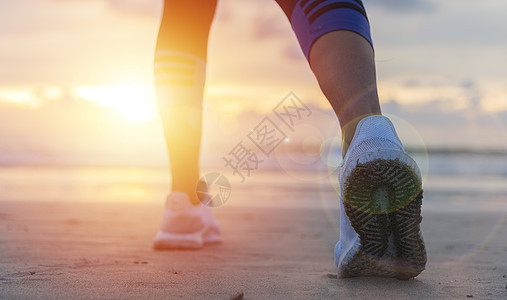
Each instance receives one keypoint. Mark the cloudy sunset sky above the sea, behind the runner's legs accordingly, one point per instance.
(76, 82)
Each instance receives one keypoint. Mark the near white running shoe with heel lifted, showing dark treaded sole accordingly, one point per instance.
(380, 199)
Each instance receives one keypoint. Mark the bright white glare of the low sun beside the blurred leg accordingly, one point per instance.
(136, 102)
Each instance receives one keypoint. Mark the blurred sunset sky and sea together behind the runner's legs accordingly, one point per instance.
(78, 118)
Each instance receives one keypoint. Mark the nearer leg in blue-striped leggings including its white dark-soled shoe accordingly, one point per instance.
(380, 185)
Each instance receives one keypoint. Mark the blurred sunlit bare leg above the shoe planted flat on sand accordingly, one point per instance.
(180, 67)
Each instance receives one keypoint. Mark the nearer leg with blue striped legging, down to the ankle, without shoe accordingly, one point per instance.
(340, 55)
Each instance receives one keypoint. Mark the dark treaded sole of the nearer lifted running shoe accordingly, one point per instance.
(382, 195)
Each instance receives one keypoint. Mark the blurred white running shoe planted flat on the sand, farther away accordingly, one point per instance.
(186, 226)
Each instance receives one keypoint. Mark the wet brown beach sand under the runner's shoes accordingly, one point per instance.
(62, 250)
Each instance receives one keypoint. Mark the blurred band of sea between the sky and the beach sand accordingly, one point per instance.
(454, 180)
